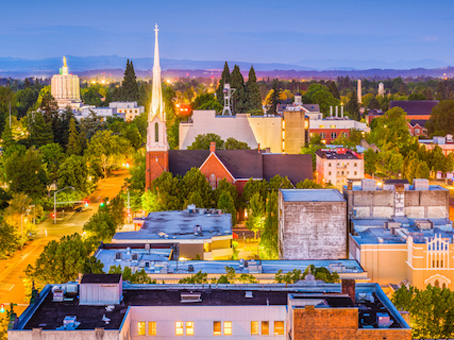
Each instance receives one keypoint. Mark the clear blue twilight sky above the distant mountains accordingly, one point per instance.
(243, 30)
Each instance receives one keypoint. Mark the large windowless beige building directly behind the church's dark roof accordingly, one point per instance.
(282, 134)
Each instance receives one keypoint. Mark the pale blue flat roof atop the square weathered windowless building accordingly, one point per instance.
(312, 195)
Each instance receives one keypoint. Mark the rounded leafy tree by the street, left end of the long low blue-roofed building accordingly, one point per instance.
(61, 261)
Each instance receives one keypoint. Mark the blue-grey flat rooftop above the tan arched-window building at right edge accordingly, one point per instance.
(373, 231)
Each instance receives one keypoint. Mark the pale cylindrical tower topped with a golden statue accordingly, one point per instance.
(65, 88)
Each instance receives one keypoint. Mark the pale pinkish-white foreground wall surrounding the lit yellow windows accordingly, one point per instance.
(203, 317)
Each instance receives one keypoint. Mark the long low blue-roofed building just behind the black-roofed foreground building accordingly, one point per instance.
(160, 263)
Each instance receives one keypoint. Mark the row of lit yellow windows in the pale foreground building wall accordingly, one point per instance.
(187, 328)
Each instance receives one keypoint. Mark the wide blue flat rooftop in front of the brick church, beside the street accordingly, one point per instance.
(180, 225)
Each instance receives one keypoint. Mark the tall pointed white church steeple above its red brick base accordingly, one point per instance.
(157, 131)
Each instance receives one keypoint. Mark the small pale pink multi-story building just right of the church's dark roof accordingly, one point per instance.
(338, 166)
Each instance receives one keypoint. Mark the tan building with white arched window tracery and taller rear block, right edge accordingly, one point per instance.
(402, 233)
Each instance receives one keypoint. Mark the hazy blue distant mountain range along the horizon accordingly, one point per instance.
(113, 66)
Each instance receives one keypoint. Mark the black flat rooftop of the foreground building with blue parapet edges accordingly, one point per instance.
(49, 315)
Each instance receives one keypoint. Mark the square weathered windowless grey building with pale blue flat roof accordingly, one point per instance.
(312, 224)
